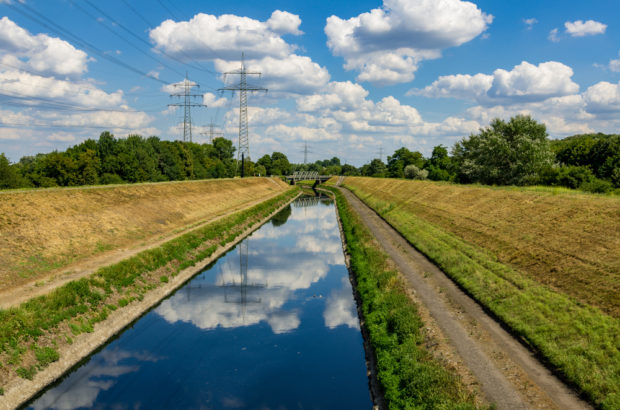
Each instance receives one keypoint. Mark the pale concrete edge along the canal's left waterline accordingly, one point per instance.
(19, 391)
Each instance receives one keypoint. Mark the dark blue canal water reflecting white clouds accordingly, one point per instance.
(270, 325)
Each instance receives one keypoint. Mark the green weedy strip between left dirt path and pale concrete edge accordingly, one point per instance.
(33, 334)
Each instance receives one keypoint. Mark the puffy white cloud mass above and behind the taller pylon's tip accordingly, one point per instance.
(222, 40)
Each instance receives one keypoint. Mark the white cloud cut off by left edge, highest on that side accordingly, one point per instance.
(41, 53)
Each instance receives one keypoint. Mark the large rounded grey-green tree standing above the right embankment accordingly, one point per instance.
(512, 153)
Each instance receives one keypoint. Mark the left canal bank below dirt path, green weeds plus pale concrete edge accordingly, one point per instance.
(65, 326)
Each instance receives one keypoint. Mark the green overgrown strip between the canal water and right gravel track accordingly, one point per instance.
(409, 375)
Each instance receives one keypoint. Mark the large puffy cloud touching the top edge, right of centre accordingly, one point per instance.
(387, 44)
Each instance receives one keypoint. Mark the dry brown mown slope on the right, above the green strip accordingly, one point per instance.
(569, 242)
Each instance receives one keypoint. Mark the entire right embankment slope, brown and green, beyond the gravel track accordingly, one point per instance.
(544, 264)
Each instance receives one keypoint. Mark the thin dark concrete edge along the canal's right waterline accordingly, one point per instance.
(376, 393)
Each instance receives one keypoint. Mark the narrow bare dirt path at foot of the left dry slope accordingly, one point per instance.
(15, 295)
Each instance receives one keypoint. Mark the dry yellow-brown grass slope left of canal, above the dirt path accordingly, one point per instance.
(45, 230)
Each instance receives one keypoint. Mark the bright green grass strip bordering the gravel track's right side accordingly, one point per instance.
(580, 342)
